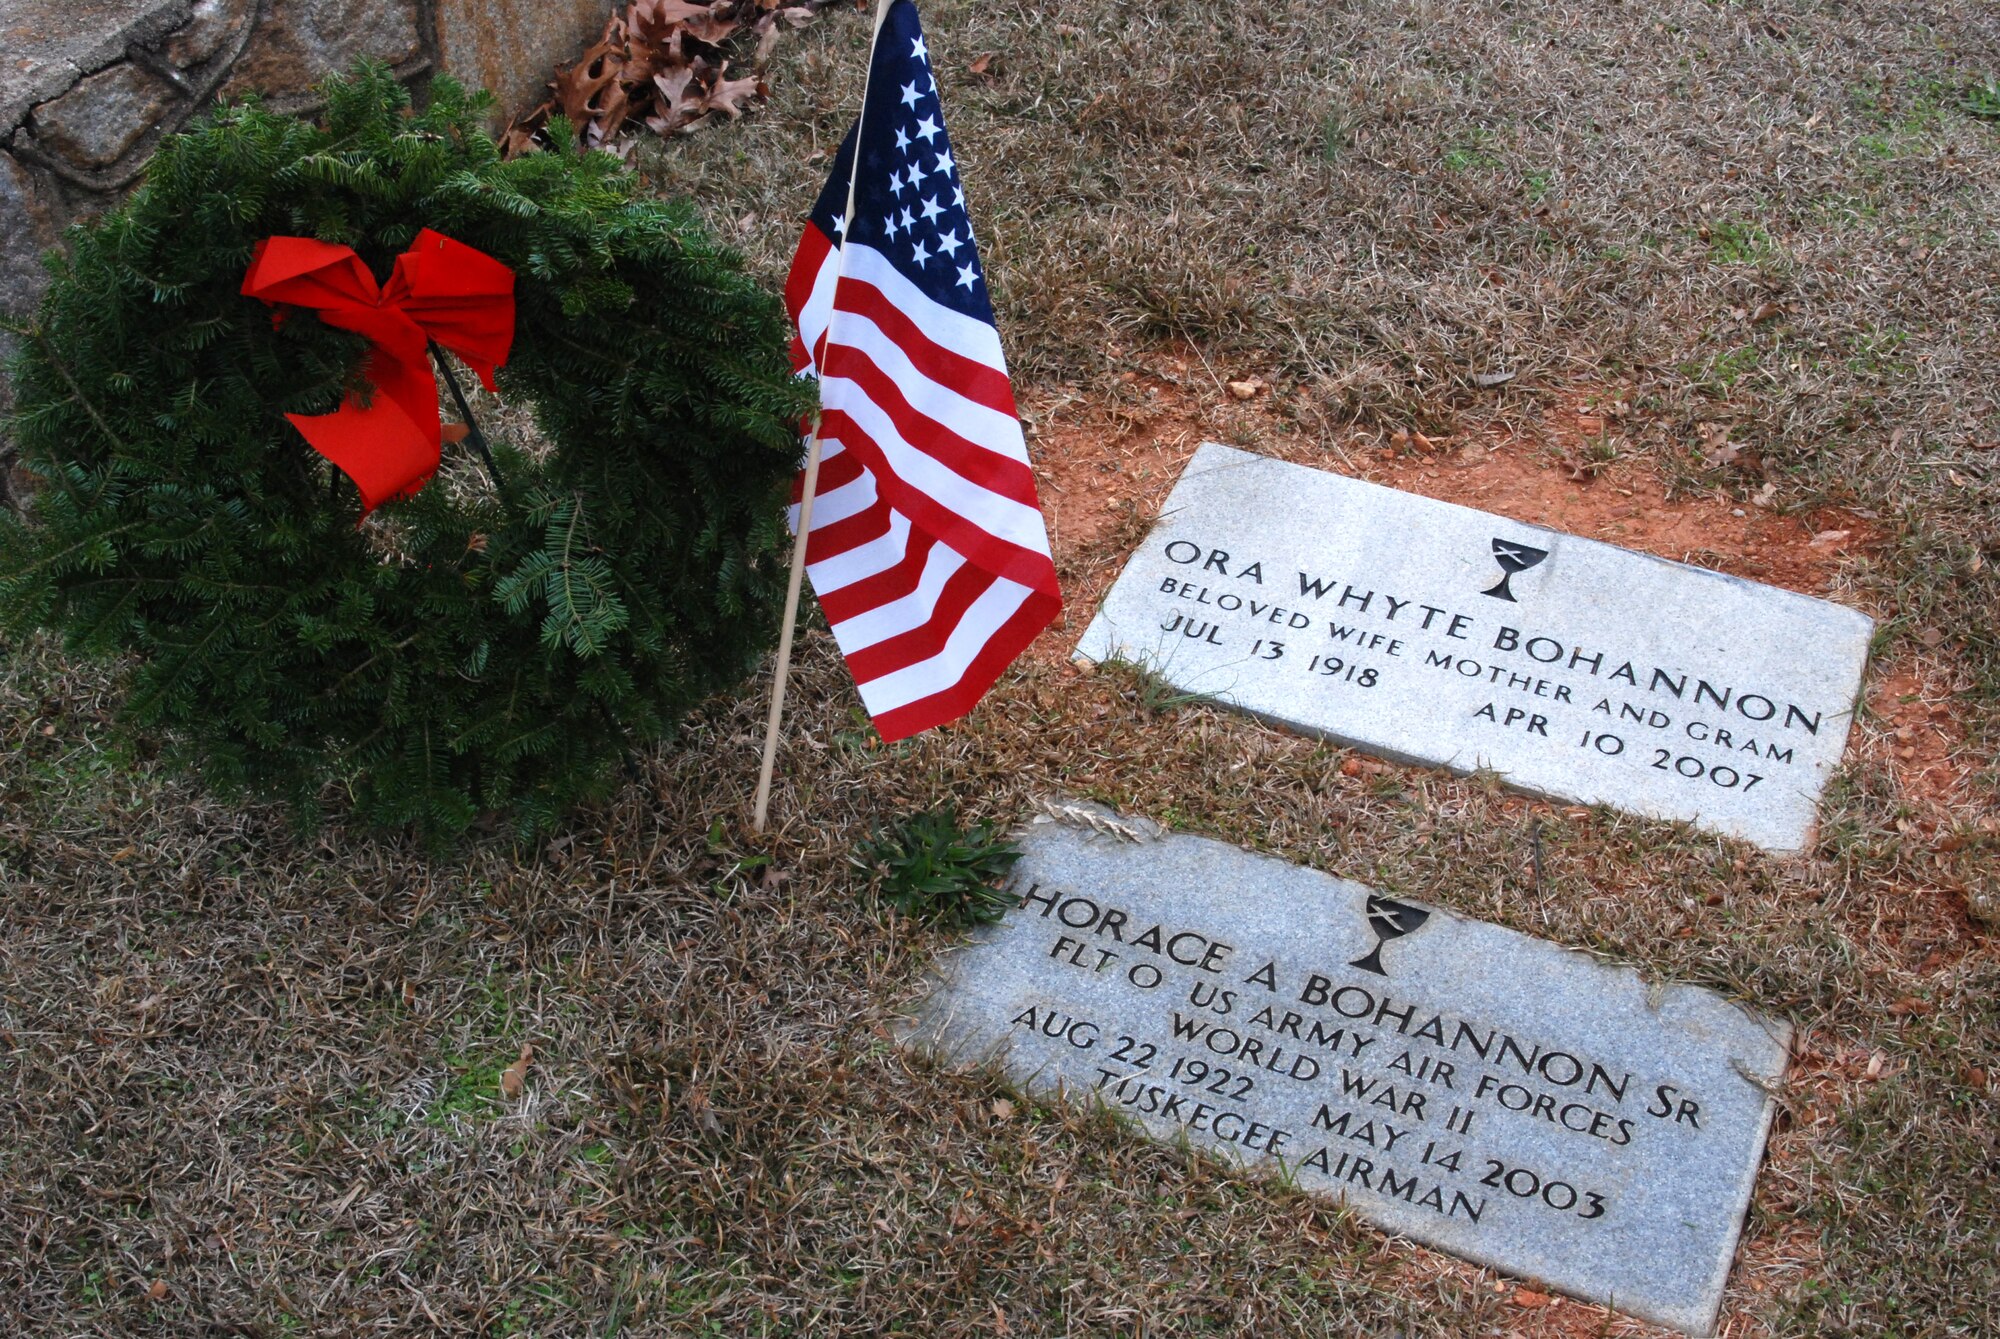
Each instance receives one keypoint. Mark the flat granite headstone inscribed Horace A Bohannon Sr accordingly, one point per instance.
(1473, 1088)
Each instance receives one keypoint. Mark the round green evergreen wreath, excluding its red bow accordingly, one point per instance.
(493, 645)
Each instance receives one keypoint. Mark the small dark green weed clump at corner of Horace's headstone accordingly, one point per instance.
(935, 870)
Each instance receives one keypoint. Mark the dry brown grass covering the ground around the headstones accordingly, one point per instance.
(251, 1080)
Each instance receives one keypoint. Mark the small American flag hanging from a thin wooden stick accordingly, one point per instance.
(929, 553)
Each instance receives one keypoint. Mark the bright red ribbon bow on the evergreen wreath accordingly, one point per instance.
(441, 291)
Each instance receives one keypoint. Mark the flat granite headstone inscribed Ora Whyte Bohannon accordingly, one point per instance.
(1447, 637)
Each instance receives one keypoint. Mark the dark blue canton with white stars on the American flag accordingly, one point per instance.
(909, 201)
